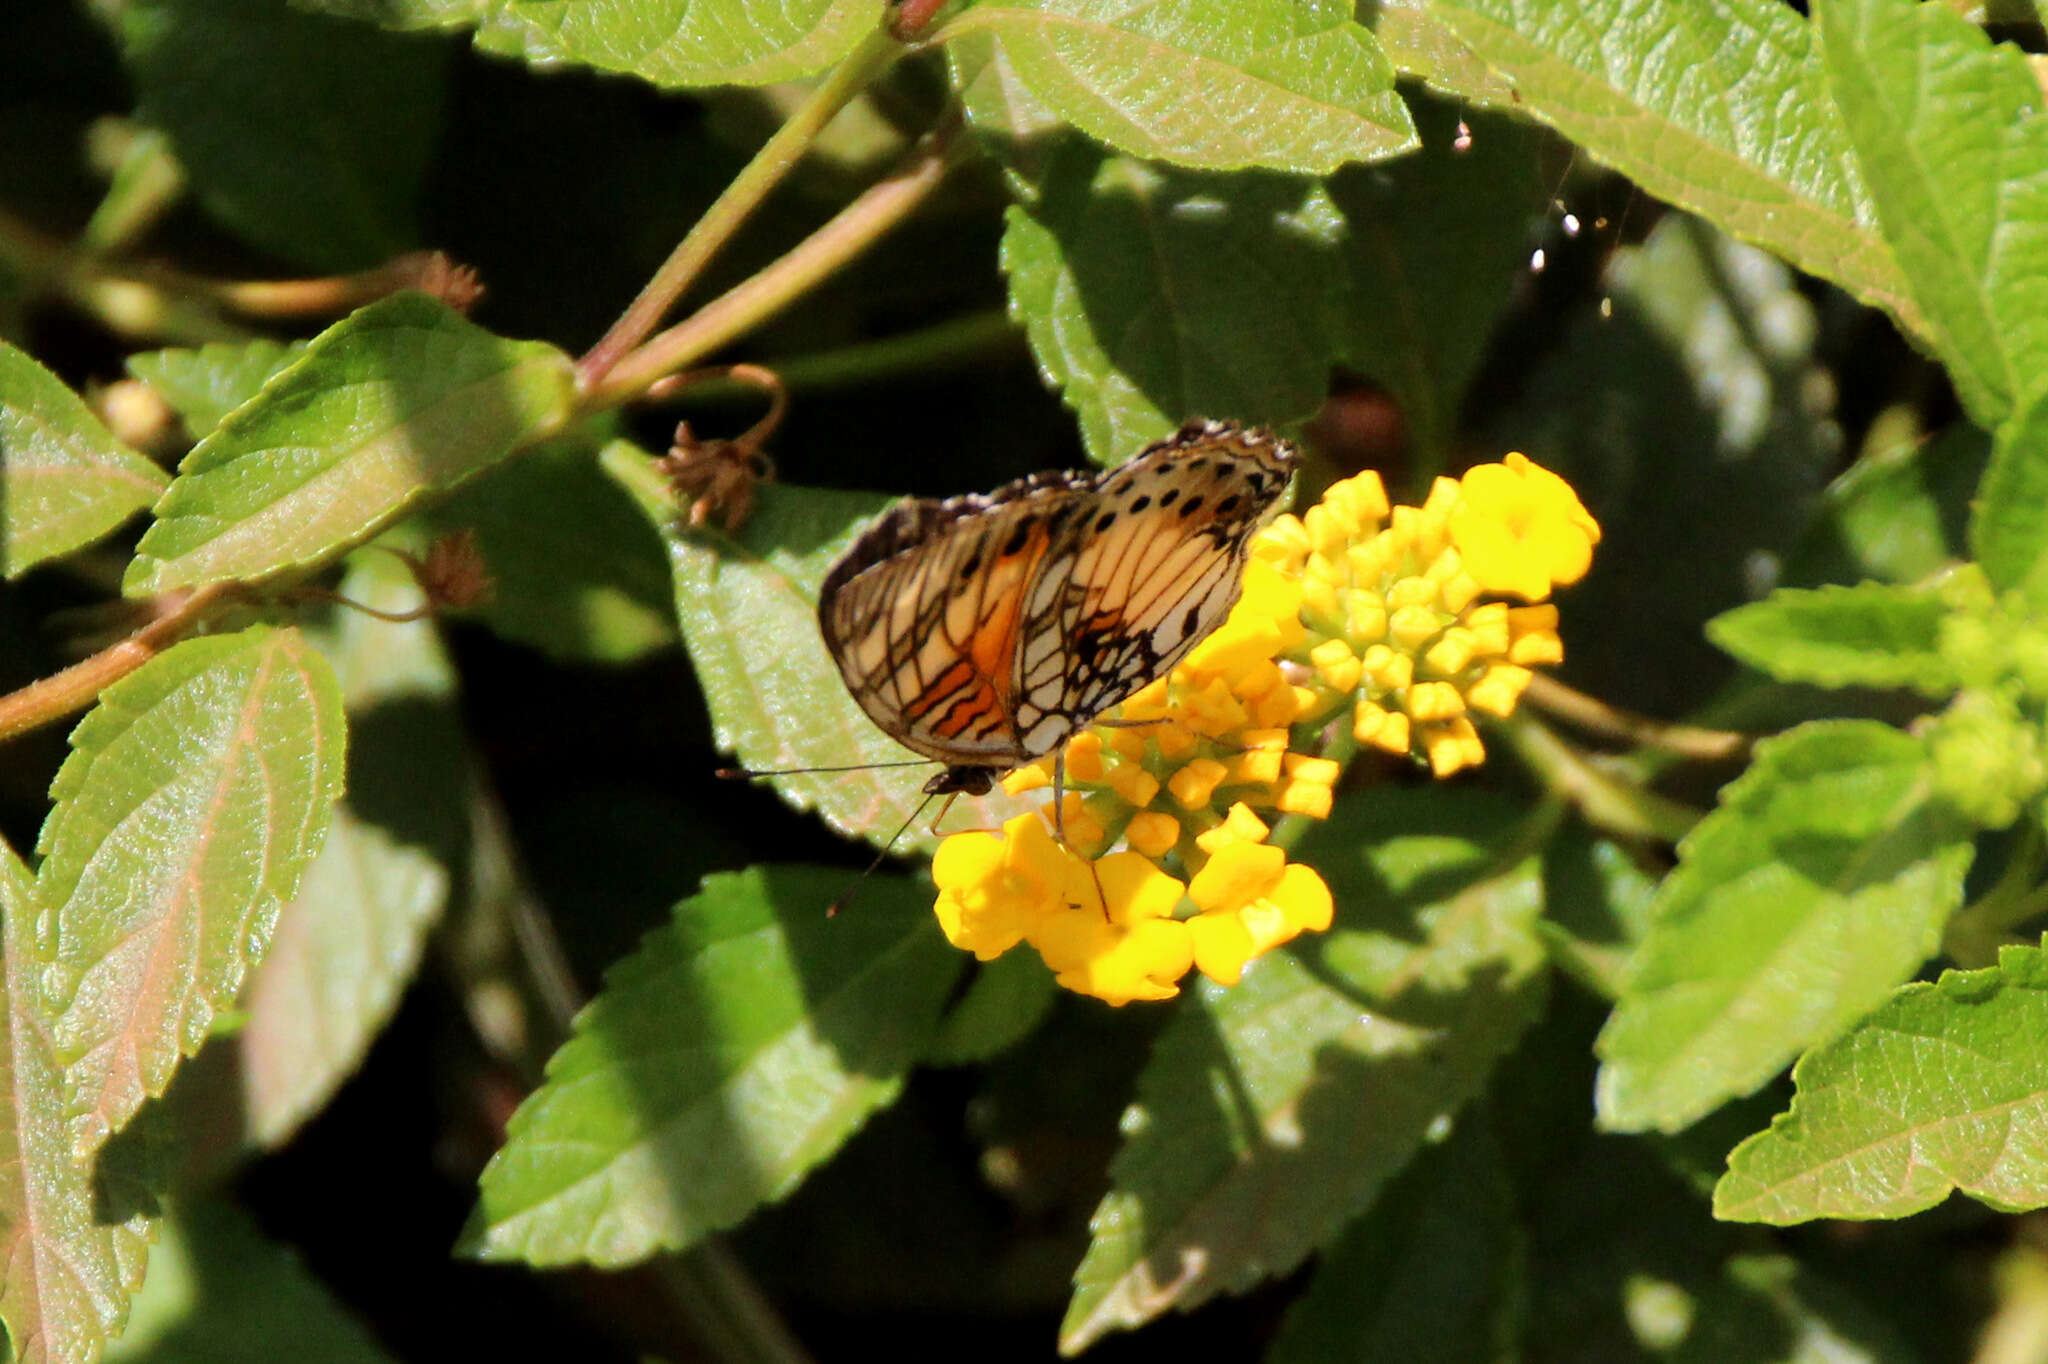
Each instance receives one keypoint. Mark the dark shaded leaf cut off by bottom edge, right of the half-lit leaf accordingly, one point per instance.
(1445, 1232)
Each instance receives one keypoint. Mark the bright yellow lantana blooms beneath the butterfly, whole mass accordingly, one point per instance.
(1166, 867)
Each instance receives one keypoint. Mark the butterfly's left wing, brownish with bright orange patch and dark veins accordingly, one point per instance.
(927, 611)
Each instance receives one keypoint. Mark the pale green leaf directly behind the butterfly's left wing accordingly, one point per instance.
(749, 611)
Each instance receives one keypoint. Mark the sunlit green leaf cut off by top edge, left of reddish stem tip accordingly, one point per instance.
(685, 44)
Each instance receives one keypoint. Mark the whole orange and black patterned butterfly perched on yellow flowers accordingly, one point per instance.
(984, 632)
